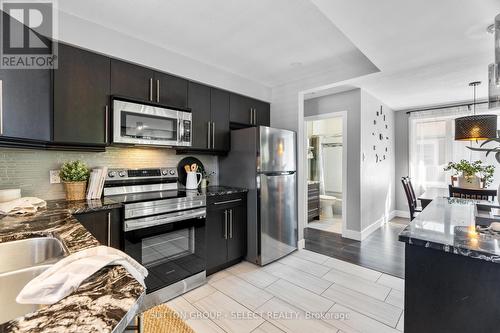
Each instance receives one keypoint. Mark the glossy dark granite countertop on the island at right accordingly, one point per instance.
(448, 224)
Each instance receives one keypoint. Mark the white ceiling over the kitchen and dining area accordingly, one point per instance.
(420, 52)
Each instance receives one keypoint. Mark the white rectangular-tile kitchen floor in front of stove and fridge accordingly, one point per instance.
(304, 292)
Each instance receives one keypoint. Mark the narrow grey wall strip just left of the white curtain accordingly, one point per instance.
(402, 157)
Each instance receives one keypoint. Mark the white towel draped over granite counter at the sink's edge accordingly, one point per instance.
(65, 276)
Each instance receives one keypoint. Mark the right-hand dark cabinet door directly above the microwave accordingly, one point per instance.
(170, 90)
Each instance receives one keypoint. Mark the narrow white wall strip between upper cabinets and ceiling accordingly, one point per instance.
(95, 37)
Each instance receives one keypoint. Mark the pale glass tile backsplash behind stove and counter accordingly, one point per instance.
(29, 169)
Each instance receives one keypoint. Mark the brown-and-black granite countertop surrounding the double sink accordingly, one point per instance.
(104, 302)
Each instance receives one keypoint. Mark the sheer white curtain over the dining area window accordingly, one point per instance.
(432, 146)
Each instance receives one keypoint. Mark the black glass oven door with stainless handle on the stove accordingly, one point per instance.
(171, 247)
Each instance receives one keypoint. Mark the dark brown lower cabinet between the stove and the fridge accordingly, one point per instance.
(226, 230)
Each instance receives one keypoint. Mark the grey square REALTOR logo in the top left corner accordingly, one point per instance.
(28, 35)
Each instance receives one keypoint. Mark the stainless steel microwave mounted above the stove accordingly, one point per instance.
(142, 124)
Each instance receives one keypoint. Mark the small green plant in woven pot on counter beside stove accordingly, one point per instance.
(74, 175)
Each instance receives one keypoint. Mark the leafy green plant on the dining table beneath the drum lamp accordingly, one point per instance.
(470, 174)
